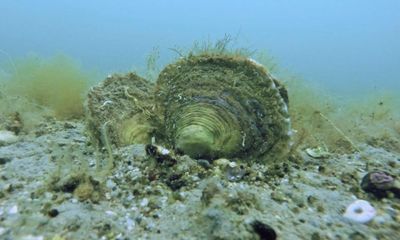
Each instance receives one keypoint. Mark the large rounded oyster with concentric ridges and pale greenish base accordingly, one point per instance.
(217, 106)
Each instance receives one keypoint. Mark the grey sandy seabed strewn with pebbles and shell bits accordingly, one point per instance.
(199, 200)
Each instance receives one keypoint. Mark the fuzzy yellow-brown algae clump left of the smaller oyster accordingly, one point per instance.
(57, 83)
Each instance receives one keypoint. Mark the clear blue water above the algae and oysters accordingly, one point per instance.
(344, 46)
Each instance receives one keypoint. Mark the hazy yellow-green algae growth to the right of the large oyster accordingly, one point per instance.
(343, 123)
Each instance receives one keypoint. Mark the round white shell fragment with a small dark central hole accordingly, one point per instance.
(360, 211)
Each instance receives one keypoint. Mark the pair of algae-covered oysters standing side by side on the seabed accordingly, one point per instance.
(206, 106)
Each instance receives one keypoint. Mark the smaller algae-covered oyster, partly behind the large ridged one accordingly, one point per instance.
(119, 110)
